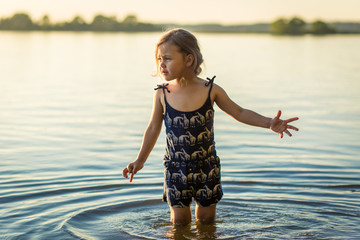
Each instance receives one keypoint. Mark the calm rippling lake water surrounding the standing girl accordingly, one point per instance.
(73, 108)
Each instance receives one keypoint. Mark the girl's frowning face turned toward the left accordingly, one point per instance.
(172, 63)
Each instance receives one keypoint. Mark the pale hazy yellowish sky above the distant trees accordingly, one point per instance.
(188, 11)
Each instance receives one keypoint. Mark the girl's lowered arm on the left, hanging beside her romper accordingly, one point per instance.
(151, 135)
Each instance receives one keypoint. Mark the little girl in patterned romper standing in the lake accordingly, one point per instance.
(185, 104)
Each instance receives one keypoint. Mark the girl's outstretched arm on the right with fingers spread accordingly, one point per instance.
(250, 117)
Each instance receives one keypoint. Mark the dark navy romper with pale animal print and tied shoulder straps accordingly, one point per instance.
(192, 168)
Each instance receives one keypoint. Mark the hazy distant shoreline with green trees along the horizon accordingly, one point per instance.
(102, 23)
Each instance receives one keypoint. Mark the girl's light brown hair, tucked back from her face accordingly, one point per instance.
(187, 44)
